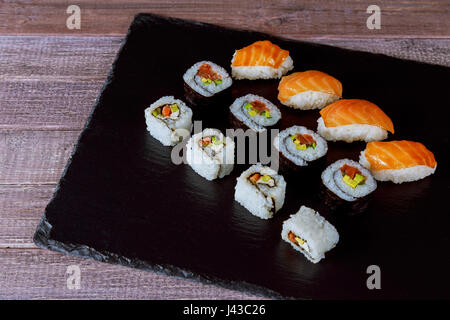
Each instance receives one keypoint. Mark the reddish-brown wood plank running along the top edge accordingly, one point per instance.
(294, 19)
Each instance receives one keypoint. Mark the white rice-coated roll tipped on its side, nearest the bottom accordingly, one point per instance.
(308, 232)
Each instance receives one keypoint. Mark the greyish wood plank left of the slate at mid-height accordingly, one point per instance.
(34, 157)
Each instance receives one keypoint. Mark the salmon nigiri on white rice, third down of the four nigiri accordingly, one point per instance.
(352, 120)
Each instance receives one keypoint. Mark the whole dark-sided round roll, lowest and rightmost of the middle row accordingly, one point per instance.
(347, 186)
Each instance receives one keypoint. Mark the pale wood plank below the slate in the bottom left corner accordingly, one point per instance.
(41, 274)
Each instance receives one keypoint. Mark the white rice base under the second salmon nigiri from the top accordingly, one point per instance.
(308, 100)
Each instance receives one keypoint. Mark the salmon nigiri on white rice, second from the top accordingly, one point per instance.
(309, 90)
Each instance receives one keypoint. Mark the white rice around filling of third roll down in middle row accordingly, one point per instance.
(300, 157)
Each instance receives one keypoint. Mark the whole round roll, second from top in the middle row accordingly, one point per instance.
(255, 112)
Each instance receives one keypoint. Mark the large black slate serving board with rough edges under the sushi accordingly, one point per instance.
(110, 204)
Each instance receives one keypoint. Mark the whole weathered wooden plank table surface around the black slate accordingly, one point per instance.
(50, 77)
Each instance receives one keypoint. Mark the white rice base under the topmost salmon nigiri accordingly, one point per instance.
(261, 72)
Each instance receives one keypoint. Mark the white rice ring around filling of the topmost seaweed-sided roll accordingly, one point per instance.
(193, 80)
